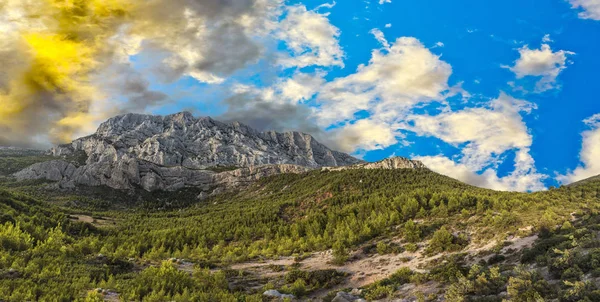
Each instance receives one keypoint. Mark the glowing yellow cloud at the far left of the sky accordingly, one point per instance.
(62, 43)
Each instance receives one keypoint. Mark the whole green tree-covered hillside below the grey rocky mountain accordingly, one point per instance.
(93, 245)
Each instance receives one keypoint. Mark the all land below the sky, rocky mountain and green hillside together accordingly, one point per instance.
(182, 209)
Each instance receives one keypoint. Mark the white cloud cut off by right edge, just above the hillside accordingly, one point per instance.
(589, 155)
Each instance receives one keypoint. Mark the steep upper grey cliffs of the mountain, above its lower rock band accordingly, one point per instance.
(200, 143)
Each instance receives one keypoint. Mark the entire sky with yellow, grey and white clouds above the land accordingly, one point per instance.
(498, 94)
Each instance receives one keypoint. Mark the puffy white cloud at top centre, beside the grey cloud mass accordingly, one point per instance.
(311, 39)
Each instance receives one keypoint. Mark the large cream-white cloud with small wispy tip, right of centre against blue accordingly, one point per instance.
(397, 77)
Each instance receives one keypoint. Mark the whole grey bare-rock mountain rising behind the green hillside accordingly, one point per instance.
(176, 151)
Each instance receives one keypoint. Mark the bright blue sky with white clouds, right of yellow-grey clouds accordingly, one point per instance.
(508, 92)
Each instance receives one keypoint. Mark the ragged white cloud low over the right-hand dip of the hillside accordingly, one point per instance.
(488, 133)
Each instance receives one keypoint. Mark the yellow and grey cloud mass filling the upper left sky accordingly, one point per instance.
(56, 55)
